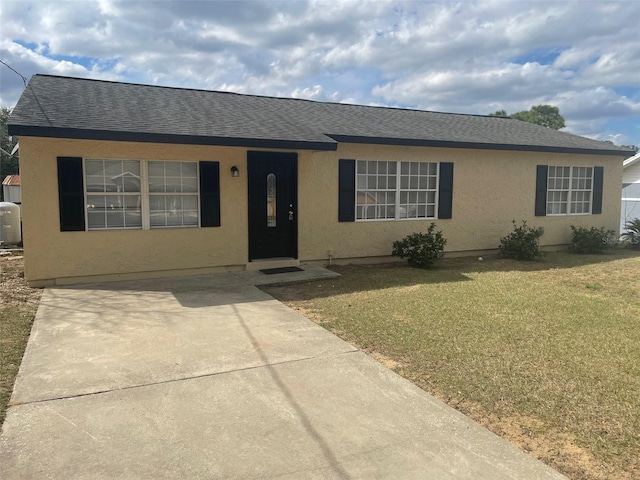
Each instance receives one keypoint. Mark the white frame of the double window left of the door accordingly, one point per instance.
(144, 195)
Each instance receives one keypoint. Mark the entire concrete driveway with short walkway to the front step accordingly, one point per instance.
(208, 377)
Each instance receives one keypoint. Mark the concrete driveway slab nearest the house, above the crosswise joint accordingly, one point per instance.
(88, 340)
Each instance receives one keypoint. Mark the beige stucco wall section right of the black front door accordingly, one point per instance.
(491, 188)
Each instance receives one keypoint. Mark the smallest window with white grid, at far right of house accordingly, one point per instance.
(569, 190)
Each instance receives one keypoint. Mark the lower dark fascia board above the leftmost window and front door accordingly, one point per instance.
(86, 134)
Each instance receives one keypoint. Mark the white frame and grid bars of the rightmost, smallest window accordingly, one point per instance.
(570, 190)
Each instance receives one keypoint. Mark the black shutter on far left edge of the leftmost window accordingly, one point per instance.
(71, 194)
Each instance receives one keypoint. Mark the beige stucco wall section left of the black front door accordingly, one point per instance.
(51, 254)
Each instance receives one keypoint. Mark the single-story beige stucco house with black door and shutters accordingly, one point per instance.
(125, 181)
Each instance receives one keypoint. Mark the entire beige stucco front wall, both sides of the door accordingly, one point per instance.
(490, 189)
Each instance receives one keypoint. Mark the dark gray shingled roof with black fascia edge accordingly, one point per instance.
(67, 107)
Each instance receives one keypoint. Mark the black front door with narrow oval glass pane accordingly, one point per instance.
(273, 180)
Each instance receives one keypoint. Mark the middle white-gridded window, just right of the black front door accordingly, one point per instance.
(396, 190)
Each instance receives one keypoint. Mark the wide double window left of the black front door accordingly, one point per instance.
(132, 194)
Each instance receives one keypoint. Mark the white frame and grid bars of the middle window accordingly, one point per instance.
(398, 190)
